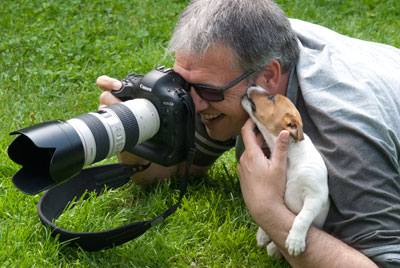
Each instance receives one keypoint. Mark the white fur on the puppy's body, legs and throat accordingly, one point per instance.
(306, 188)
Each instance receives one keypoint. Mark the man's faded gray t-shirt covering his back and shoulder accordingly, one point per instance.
(348, 94)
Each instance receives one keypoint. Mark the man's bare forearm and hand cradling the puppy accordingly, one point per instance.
(263, 183)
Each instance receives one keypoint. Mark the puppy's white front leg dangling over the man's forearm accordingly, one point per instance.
(296, 240)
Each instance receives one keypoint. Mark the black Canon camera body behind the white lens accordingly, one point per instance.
(169, 93)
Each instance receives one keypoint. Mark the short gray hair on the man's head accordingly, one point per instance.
(257, 31)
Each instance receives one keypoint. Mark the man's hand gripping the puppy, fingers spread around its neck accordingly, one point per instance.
(262, 180)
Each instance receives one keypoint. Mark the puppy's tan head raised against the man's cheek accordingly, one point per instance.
(274, 111)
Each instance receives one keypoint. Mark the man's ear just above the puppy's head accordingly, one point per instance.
(270, 76)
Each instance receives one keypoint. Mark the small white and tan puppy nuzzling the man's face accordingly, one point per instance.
(307, 178)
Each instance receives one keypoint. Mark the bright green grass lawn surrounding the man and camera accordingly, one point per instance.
(51, 53)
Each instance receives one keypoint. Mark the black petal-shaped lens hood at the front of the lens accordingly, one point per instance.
(49, 153)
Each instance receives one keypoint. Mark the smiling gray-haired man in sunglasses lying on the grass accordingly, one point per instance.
(347, 92)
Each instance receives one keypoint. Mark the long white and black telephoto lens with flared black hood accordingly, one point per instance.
(58, 150)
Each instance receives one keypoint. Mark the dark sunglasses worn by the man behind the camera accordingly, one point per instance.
(214, 94)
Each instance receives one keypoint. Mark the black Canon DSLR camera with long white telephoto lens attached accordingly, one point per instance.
(155, 121)
